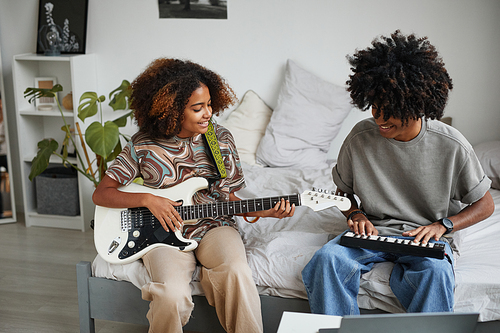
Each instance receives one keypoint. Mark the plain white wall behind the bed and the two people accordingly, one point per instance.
(250, 48)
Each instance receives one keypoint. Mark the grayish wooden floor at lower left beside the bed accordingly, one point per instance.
(38, 280)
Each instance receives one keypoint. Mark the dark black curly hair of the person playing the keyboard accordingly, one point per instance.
(402, 75)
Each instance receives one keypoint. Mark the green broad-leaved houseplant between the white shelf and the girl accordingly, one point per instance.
(102, 138)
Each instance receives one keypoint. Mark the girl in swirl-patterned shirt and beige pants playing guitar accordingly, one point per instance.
(173, 102)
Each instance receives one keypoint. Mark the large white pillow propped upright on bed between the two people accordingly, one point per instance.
(308, 117)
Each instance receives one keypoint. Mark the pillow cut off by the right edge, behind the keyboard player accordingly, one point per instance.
(488, 154)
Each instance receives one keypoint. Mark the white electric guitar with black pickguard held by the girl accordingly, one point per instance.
(122, 235)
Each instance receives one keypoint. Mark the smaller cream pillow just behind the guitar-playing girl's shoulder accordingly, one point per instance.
(248, 123)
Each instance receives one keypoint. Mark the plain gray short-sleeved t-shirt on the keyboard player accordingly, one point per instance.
(403, 185)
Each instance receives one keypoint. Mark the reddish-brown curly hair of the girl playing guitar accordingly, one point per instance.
(160, 94)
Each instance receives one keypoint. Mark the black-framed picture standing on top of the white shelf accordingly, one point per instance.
(69, 19)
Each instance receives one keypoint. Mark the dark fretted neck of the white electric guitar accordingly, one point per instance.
(194, 212)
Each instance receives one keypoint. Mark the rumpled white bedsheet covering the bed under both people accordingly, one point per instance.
(278, 250)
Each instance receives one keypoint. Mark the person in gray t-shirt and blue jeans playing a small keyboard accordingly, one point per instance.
(412, 174)
